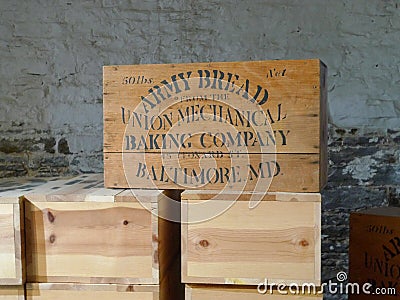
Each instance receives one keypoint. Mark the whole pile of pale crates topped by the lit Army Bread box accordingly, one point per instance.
(84, 241)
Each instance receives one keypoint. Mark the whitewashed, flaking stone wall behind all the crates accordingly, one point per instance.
(52, 53)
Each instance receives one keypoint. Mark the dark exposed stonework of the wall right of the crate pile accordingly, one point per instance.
(364, 172)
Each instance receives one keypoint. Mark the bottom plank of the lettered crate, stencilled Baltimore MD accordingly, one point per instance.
(294, 171)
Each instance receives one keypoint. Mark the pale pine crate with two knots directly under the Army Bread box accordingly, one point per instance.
(279, 240)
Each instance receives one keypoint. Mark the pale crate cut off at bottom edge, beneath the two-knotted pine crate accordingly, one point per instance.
(207, 292)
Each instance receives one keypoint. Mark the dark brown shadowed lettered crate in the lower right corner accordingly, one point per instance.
(374, 251)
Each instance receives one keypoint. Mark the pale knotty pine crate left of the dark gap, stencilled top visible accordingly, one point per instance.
(77, 231)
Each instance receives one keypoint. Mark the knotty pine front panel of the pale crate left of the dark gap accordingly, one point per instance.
(91, 242)
